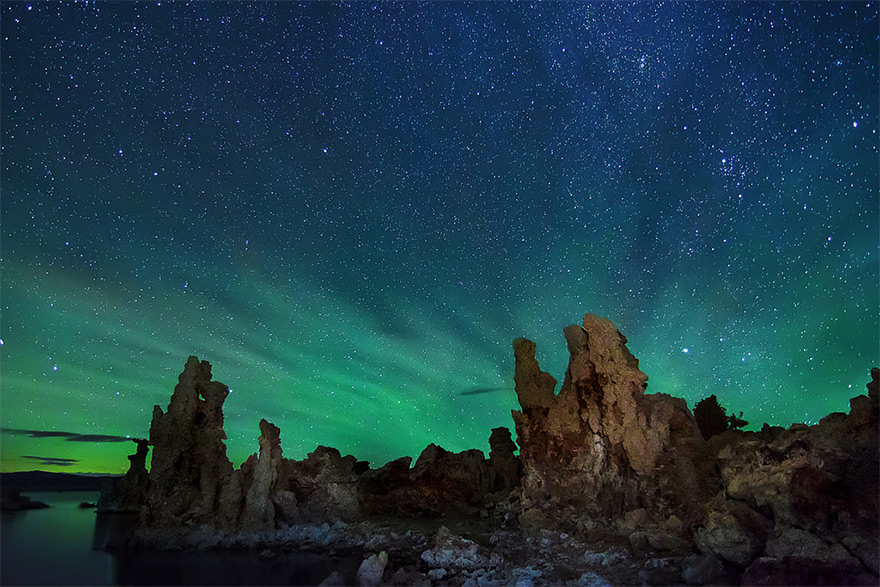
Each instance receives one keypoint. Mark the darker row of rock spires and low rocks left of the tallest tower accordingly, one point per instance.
(193, 484)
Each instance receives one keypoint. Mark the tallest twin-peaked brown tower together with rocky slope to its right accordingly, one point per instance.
(795, 506)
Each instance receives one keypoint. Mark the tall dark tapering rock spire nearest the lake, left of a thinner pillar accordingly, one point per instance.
(189, 466)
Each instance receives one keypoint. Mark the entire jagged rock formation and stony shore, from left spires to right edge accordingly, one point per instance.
(600, 463)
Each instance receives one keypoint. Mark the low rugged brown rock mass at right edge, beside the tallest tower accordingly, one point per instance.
(803, 498)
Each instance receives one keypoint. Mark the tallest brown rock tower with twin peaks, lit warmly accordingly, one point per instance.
(601, 446)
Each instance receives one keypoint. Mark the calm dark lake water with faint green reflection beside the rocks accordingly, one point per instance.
(54, 546)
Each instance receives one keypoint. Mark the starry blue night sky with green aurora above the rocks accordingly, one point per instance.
(352, 210)
